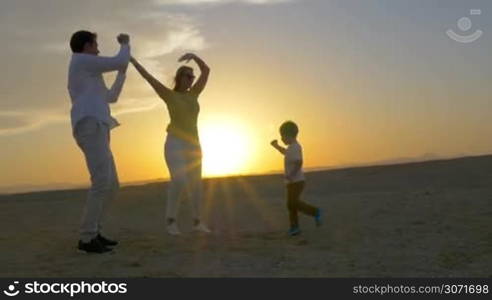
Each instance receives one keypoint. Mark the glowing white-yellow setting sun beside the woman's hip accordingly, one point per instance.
(224, 147)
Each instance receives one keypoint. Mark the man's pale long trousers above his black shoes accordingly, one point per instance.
(93, 138)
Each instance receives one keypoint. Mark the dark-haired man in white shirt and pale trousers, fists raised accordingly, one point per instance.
(91, 125)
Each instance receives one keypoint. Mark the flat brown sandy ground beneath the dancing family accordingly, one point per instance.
(430, 219)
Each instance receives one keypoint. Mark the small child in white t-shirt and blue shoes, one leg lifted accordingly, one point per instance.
(294, 177)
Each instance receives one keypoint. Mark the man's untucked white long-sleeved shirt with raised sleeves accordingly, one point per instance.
(89, 95)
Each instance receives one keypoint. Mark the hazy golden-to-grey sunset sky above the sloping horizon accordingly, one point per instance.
(366, 81)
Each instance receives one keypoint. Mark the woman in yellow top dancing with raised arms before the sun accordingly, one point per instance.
(182, 149)
